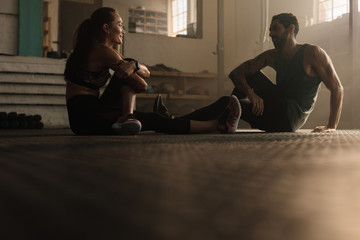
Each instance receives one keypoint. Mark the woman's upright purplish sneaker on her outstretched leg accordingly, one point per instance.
(230, 117)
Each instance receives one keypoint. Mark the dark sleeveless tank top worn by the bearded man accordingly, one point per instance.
(299, 88)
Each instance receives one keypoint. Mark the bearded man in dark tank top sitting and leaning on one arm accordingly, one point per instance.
(300, 68)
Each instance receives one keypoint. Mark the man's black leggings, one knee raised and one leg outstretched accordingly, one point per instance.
(274, 118)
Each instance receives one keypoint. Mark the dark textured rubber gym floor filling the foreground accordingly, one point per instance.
(250, 185)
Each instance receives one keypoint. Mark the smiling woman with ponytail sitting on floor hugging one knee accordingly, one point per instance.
(87, 70)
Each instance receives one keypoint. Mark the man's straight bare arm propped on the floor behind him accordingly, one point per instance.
(325, 70)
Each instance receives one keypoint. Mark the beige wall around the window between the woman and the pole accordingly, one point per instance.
(188, 55)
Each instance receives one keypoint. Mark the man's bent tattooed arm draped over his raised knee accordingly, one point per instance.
(248, 68)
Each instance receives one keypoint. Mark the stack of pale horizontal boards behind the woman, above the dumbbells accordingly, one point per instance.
(31, 86)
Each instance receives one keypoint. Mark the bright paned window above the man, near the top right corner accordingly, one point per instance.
(329, 10)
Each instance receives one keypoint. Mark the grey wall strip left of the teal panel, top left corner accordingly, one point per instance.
(9, 10)
